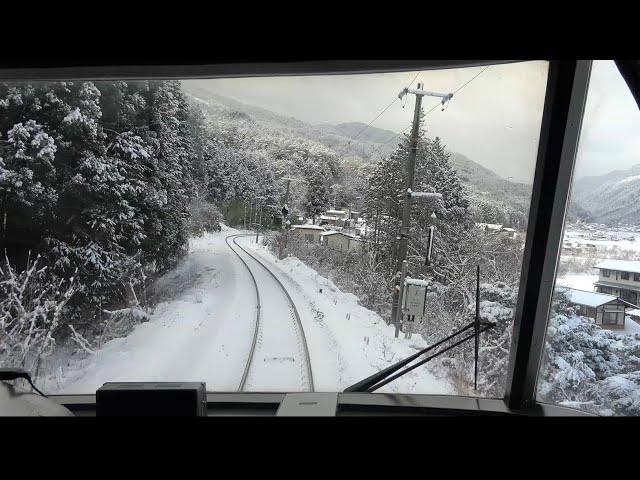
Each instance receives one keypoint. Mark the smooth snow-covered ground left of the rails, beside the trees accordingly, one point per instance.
(204, 334)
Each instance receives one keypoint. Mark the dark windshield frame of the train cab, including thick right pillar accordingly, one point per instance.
(565, 98)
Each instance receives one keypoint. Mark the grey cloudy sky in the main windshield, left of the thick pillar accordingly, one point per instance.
(495, 120)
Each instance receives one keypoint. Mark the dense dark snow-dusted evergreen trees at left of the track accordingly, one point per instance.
(97, 178)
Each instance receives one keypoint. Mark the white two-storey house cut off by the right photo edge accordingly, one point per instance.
(620, 278)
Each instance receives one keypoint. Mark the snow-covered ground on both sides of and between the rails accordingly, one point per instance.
(203, 332)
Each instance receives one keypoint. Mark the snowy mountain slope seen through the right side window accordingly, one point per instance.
(611, 199)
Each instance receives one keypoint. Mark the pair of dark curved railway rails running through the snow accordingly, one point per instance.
(258, 323)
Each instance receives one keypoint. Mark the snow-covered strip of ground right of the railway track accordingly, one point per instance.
(347, 342)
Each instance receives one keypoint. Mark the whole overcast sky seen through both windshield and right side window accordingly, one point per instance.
(494, 120)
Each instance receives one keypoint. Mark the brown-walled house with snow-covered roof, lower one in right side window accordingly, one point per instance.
(608, 311)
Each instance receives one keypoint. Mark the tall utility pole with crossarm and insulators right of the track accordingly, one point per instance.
(396, 311)
